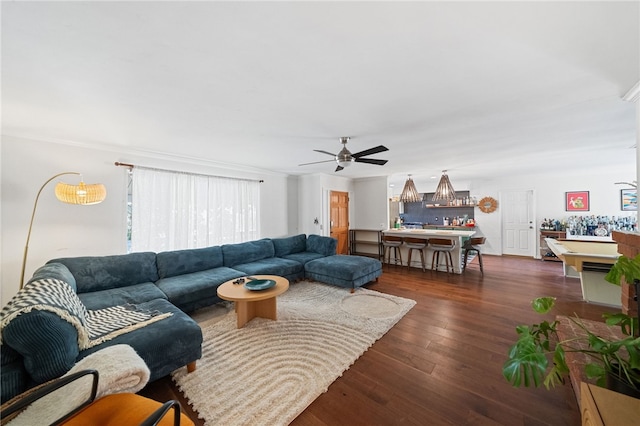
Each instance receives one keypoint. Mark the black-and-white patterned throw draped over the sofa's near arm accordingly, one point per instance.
(94, 326)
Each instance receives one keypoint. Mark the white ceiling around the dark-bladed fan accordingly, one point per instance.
(482, 89)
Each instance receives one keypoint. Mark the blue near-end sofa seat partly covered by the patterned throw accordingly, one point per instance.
(164, 345)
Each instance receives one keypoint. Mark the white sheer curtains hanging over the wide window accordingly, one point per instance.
(173, 210)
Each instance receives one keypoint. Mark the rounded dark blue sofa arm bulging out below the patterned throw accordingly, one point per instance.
(47, 343)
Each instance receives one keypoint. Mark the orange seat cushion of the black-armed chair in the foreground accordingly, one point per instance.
(122, 409)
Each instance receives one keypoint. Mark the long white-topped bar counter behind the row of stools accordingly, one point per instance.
(455, 235)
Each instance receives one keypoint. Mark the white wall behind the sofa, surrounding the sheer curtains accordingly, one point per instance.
(62, 230)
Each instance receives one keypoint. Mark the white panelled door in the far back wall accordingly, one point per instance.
(518, 230)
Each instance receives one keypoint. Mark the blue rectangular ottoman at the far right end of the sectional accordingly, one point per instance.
(344, 271)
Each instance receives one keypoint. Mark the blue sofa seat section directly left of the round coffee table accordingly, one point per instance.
(185, 290)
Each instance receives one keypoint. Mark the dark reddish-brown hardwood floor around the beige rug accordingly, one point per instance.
(441, 364)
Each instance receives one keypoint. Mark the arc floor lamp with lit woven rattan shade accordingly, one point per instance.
(81, 194)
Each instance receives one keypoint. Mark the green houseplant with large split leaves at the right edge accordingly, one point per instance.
(538, 355)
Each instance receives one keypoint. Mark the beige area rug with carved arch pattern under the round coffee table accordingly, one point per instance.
(269, 371)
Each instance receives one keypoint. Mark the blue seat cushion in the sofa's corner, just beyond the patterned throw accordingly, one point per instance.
(133, 294)
